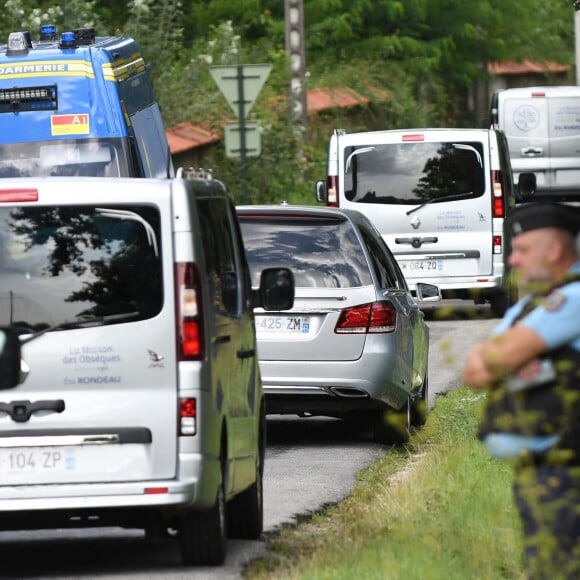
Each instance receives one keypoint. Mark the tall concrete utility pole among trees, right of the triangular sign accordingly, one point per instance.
(294, 20)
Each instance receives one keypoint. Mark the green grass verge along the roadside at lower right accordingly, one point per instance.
(439, 508)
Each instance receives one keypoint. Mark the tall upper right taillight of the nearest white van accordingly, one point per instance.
(189, 312)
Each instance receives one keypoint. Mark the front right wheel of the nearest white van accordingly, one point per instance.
(245, 512)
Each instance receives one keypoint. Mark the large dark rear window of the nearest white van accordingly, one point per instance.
(68, 264)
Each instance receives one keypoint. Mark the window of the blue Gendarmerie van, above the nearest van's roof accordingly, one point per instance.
(92, 158)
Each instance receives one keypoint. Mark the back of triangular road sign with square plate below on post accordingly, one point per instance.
(240, 85)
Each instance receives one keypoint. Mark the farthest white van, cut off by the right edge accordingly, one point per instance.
(542, 126)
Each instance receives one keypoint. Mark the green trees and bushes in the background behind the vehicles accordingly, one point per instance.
(425, 54)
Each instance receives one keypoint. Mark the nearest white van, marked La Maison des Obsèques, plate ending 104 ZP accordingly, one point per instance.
(139, 403)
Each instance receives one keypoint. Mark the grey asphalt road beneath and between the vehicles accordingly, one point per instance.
(309, 464)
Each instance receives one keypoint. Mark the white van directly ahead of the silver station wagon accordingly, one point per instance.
(439, 198)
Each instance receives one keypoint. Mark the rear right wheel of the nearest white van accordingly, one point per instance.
(202, 536)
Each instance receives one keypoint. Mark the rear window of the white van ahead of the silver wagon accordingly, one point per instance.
(414, 173)
